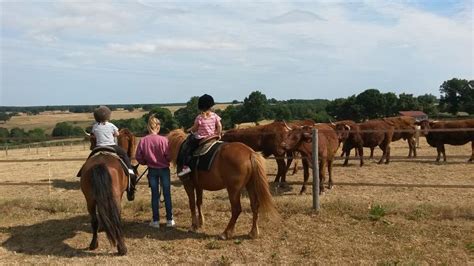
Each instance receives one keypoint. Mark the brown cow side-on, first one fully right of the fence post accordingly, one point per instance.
(369, 134)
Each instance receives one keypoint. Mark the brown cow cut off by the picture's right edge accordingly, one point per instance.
(437, 138)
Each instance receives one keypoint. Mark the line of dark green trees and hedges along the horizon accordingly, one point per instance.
(456, 95)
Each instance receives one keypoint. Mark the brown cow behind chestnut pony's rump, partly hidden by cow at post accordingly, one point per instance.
(266, 139)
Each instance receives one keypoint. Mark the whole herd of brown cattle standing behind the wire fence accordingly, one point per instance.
(280, 139)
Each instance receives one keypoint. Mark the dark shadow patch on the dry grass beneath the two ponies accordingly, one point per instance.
(48, 237)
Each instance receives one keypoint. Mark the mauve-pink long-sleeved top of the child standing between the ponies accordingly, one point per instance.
(153, 150)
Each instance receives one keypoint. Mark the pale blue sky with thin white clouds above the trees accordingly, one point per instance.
(144, 51)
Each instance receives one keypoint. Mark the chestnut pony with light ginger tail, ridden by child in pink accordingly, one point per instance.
(235, 166)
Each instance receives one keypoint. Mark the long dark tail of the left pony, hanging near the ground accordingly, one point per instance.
(107, 209)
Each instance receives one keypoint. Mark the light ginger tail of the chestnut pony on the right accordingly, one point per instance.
(262, 188)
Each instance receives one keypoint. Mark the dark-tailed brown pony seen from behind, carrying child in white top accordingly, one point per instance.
(103, 182)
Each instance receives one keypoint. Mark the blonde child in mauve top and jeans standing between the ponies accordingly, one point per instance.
(153, 151)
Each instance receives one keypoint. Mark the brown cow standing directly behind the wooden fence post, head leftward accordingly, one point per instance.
(300, 139)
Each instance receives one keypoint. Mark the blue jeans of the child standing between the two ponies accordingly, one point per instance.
(154, 177)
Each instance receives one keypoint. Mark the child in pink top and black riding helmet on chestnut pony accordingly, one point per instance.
(206, 124)
